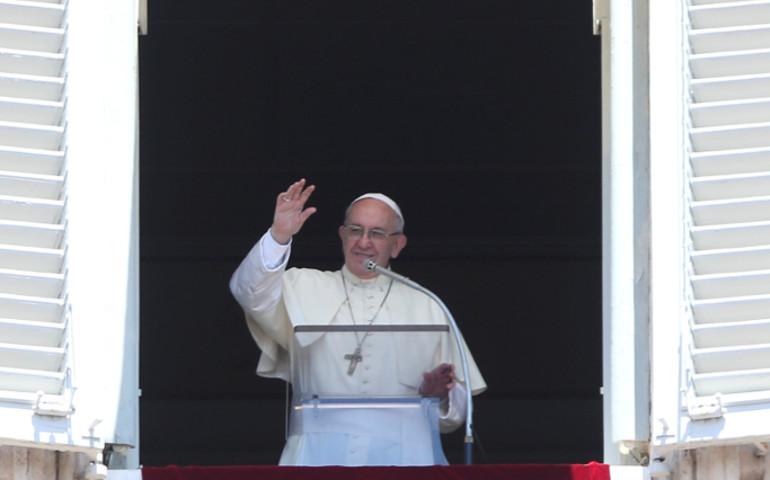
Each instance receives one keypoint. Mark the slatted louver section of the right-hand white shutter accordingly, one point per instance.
(730, 160)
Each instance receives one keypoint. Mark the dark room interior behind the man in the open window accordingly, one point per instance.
(481, 118)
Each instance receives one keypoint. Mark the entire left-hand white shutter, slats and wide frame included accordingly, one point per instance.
(69, 226)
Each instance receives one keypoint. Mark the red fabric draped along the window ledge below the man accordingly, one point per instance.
(591, 471)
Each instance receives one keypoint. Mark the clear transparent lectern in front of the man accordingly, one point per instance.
(355, 394)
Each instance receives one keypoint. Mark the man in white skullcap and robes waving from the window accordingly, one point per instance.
(358, 364)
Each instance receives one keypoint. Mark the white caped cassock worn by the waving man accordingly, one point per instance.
(276, 300)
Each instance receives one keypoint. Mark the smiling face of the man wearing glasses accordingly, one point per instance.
(370, 214)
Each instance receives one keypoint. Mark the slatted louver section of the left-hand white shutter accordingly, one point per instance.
(33, 299)
